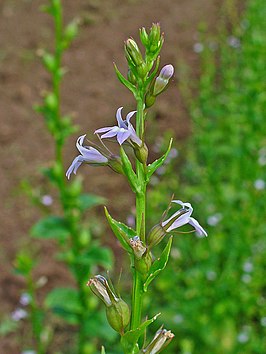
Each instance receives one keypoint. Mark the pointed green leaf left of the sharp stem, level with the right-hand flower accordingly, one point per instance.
(121, 231)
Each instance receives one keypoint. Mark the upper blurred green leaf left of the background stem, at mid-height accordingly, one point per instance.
(50, 227)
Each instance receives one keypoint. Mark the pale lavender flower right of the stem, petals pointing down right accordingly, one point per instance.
(183, 217)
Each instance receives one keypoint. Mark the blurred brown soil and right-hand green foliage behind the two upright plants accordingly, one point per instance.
(212, 294)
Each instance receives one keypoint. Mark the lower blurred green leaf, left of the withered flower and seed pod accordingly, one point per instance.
(65, 303)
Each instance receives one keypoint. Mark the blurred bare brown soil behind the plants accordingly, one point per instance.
(90, 91)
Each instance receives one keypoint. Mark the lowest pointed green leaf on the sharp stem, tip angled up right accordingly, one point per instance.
(129, 340)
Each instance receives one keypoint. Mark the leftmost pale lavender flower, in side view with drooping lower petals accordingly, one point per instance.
(88, 154)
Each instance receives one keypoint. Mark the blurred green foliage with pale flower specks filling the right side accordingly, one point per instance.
(218, 306)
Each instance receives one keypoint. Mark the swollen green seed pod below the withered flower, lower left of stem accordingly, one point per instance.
(118, 316)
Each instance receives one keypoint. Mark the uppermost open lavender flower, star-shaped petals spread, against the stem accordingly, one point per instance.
(123, 131)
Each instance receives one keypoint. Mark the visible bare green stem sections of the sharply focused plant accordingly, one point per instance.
(137, 291)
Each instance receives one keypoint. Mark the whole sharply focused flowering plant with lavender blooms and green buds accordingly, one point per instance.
(146, 84)
